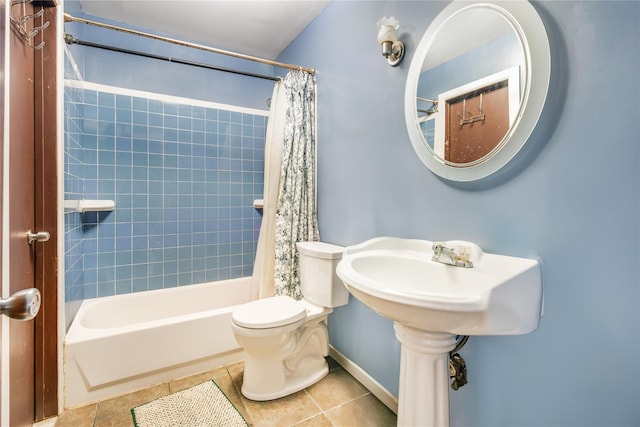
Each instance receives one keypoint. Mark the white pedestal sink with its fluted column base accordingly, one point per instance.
(431, 303)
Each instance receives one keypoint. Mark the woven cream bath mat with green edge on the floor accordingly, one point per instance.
(204, 405)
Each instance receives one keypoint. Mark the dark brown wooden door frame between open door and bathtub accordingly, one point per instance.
(46, 216)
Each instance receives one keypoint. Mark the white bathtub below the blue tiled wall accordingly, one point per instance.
(126, 342)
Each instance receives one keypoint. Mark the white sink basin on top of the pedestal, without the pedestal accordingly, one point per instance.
(499, 295)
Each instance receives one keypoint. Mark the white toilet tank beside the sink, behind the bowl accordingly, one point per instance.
(318, 279)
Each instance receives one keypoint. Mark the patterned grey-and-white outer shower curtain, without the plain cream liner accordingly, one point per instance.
(296, 219)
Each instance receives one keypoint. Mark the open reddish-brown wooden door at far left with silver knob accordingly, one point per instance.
(21, 188)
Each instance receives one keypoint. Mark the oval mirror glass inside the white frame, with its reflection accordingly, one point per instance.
(469, 91)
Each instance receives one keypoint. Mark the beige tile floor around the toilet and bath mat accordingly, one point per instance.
(337, 400)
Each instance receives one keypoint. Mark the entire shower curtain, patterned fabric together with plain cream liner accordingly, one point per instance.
(289, 210)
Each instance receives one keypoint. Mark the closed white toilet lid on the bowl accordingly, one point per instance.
(269, 313)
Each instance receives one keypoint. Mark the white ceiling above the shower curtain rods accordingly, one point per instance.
(261, 28)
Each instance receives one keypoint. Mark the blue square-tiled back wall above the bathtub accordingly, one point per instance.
(183, 177)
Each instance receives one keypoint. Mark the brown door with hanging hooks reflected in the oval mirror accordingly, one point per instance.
(476, 123)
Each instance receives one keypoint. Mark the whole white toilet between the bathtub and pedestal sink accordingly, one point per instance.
(285, 340)
